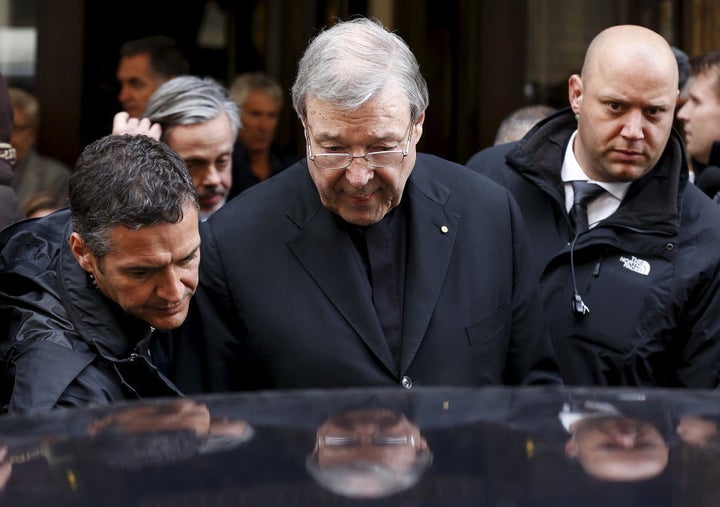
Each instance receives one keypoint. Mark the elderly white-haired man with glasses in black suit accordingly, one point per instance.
(367, 263)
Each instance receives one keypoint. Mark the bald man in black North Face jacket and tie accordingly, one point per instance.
(633, 299)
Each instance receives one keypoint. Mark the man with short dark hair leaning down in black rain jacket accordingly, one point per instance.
(86, 292)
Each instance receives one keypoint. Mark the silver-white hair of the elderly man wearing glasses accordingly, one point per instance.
(349, 63)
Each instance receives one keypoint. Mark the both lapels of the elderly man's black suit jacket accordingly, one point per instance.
(326, 253)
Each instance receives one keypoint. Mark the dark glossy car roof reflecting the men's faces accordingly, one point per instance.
(497, 447)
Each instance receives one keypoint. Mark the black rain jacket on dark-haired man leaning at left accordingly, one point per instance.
(62, 343)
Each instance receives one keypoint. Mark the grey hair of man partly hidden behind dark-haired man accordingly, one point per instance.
(189, 100)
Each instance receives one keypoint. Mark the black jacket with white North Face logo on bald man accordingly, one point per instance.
(649, 273)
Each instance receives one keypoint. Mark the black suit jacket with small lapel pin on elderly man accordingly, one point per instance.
(284, 303)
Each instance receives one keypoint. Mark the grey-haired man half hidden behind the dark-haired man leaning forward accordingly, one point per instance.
(198, 119)
